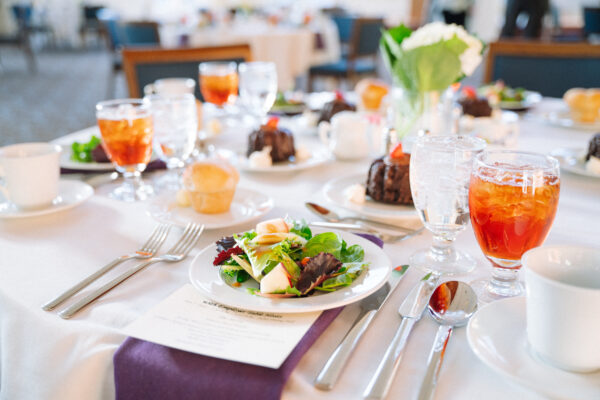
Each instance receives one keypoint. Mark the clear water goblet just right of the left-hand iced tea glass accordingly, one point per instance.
(175, 130)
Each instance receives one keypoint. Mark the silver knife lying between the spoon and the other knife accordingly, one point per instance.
(411, 311)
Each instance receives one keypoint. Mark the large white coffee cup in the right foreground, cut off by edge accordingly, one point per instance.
(563, 305)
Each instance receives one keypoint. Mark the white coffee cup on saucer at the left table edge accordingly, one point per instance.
(29, 174)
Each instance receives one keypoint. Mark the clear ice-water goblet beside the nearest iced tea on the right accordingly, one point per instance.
(440, 169)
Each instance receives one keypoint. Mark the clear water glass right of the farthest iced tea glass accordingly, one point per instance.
(258, 87)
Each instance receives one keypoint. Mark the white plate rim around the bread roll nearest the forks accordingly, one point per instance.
(267, 204)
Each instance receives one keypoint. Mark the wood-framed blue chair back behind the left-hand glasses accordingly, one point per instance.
(145, 65)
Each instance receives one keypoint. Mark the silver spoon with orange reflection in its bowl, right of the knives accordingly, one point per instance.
(451, 304)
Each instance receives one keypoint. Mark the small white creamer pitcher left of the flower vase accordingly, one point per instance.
(346, 136)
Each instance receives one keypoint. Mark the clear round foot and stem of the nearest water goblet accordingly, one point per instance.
(442, 257)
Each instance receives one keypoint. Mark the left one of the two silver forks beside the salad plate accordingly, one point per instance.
(147, 250)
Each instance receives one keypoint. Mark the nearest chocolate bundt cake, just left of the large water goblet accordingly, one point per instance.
(388, 180)
